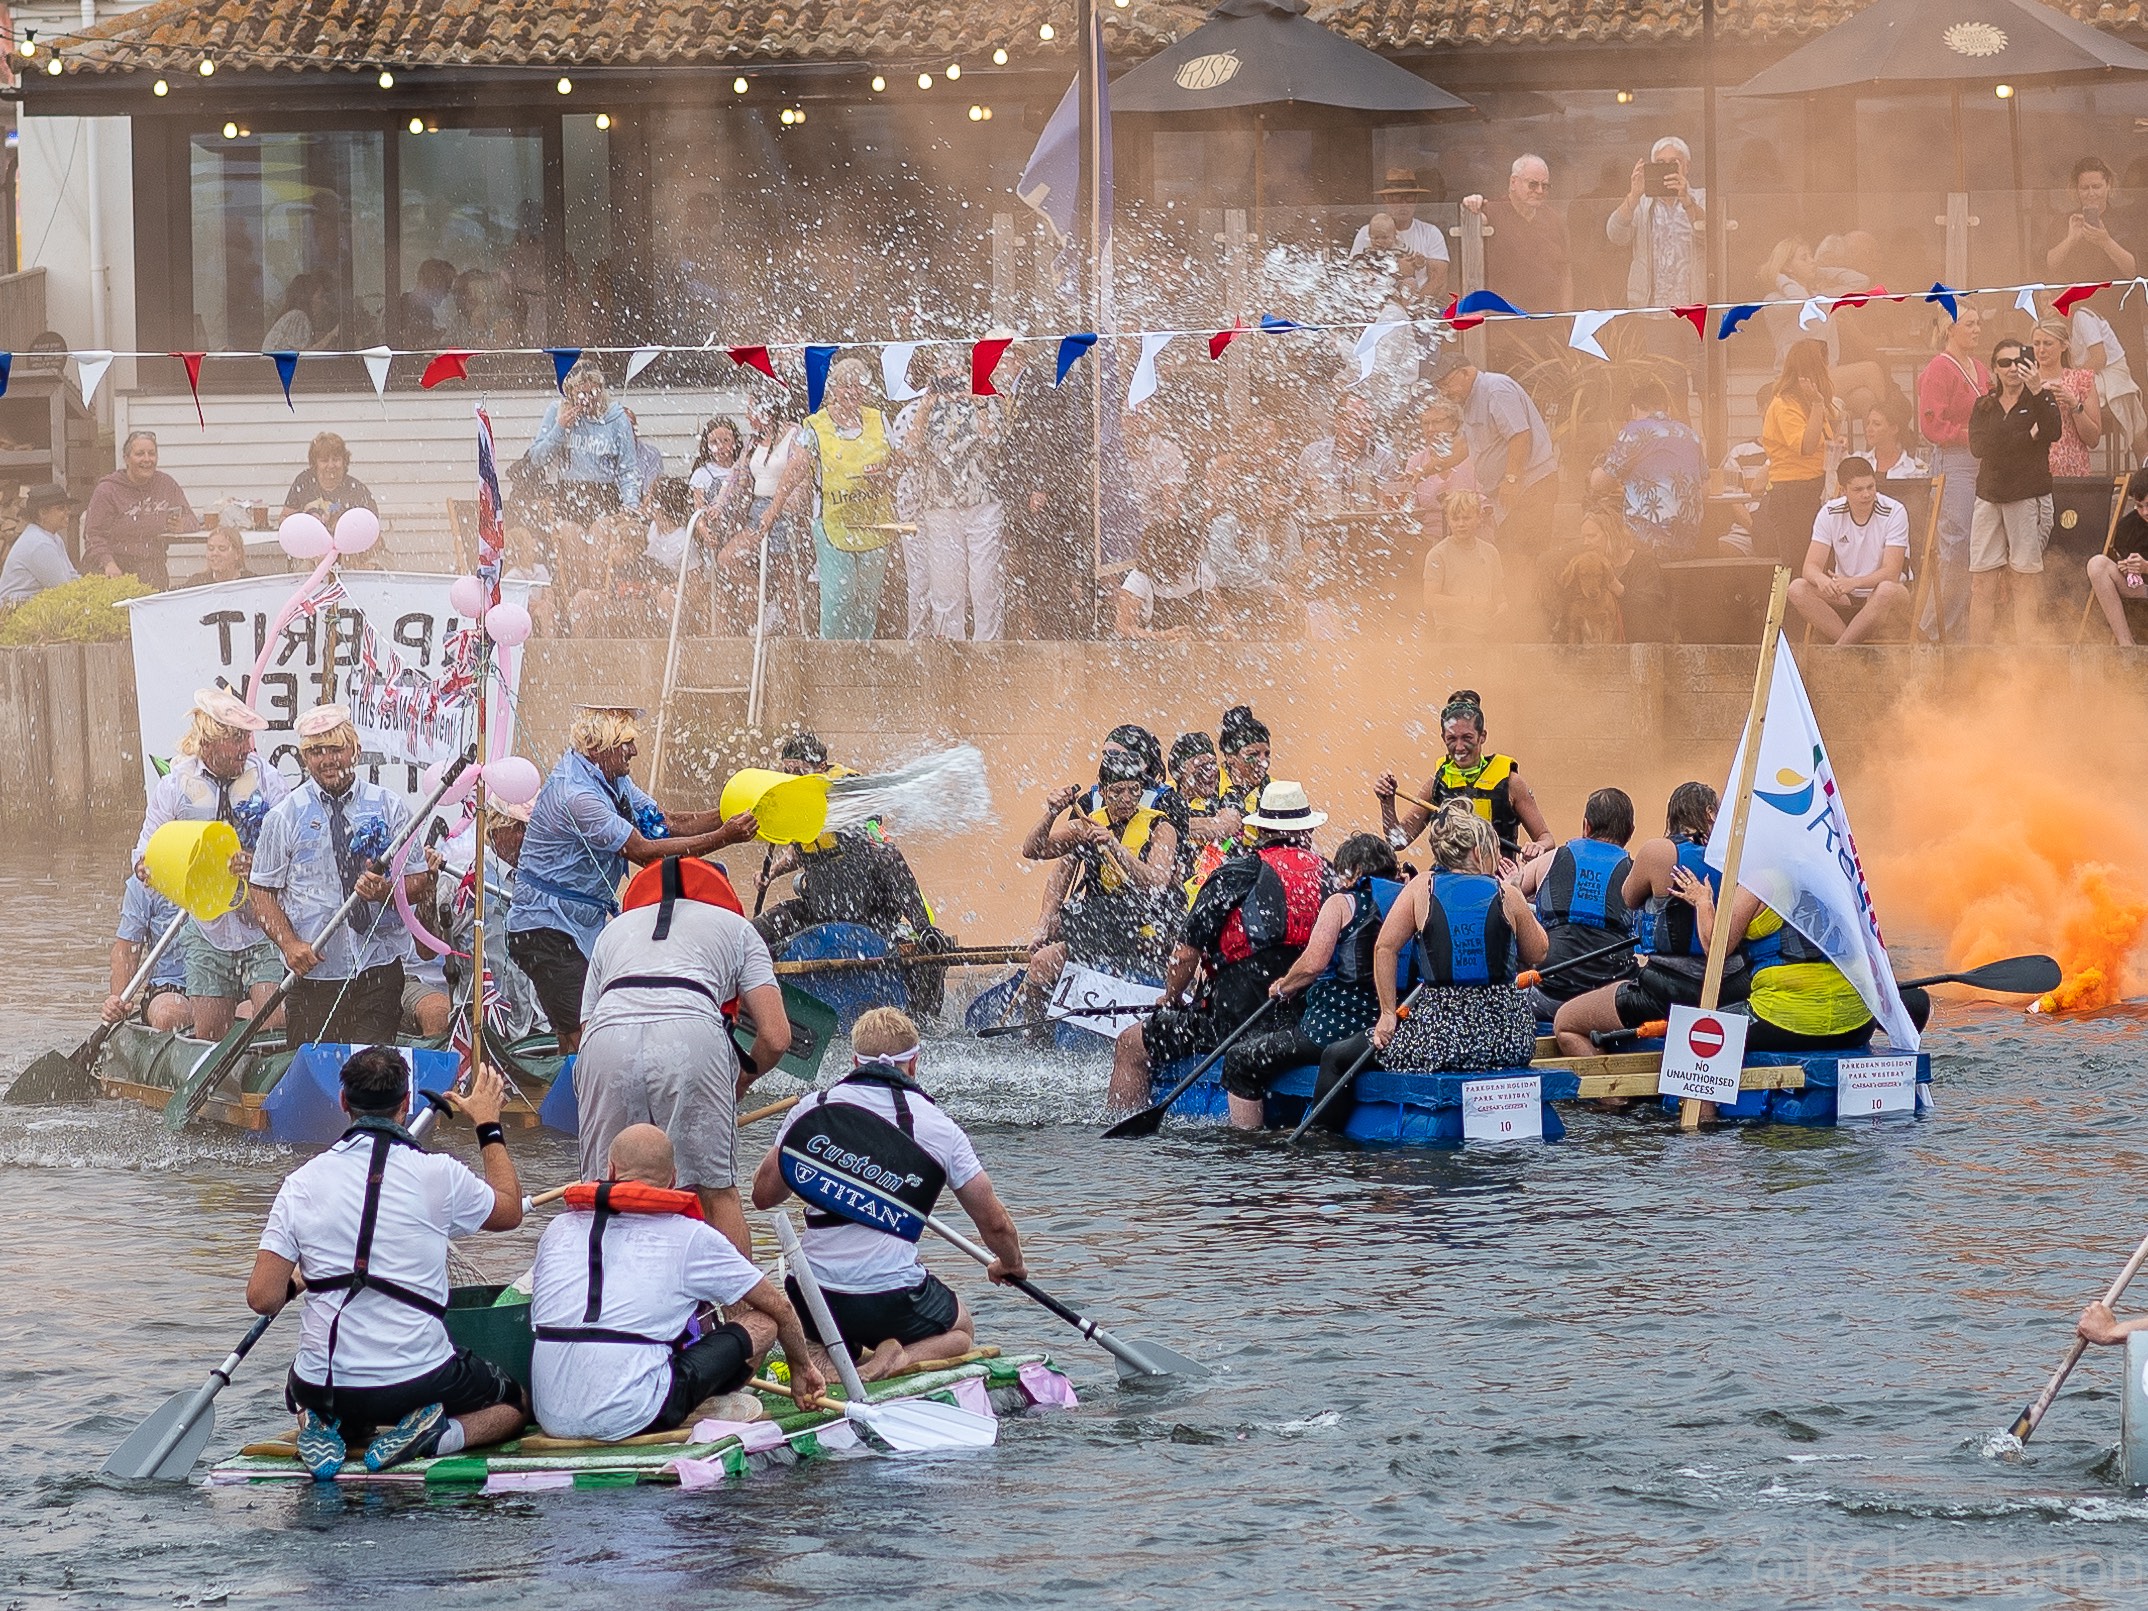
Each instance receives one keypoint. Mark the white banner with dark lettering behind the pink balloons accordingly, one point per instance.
(398, 645)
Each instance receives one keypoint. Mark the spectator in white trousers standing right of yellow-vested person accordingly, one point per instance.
(953, 439)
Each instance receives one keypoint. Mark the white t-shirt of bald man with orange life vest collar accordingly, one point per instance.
(656, 1271)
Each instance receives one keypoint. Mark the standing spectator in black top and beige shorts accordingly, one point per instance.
(2012, 433)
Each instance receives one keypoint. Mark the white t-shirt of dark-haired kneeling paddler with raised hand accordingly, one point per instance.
(426, 1200)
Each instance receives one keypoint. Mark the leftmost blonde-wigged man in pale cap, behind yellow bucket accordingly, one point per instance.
(220, 779)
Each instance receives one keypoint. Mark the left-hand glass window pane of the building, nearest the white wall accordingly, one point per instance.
(289, 242)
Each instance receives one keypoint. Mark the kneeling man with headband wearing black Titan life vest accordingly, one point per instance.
(839, 1152)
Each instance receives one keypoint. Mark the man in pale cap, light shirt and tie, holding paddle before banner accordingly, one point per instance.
(323, 843)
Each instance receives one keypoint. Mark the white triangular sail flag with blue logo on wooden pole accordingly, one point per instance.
(1801, 856)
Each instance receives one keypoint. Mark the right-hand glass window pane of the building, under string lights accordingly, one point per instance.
(474, 257)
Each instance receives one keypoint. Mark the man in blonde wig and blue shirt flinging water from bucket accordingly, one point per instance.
(587, 826)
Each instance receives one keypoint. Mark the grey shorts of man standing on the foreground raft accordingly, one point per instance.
(671, 1073)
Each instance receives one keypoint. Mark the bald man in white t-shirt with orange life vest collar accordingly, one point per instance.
(615, 1290)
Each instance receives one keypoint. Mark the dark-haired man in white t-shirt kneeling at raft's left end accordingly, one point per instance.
(366, 1225)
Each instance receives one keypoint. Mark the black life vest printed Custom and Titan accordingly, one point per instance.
(854, 1167)
